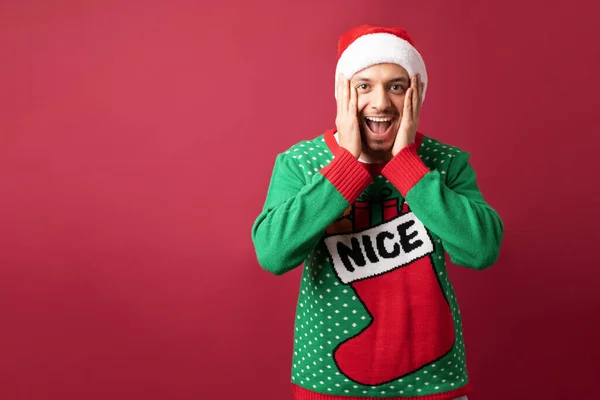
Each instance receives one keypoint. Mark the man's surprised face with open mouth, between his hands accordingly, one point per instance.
(381, 89)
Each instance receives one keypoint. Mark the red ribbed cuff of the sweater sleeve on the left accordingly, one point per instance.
(347, 175)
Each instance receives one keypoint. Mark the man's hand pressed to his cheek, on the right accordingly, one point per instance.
(410, 115)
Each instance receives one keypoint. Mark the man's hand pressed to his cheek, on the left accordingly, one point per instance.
(347, 116)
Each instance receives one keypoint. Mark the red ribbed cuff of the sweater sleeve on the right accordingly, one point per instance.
(405, 169)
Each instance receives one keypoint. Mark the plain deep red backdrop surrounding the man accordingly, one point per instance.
(136, 145)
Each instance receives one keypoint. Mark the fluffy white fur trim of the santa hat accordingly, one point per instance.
(378, 48)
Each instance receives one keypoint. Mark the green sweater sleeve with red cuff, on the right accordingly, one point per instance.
(453, 209)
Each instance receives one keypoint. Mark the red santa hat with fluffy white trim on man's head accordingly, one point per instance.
(366, 45)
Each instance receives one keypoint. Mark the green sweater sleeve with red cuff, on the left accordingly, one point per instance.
(299, 208)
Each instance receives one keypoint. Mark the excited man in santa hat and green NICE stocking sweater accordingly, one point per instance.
(371, 208)
